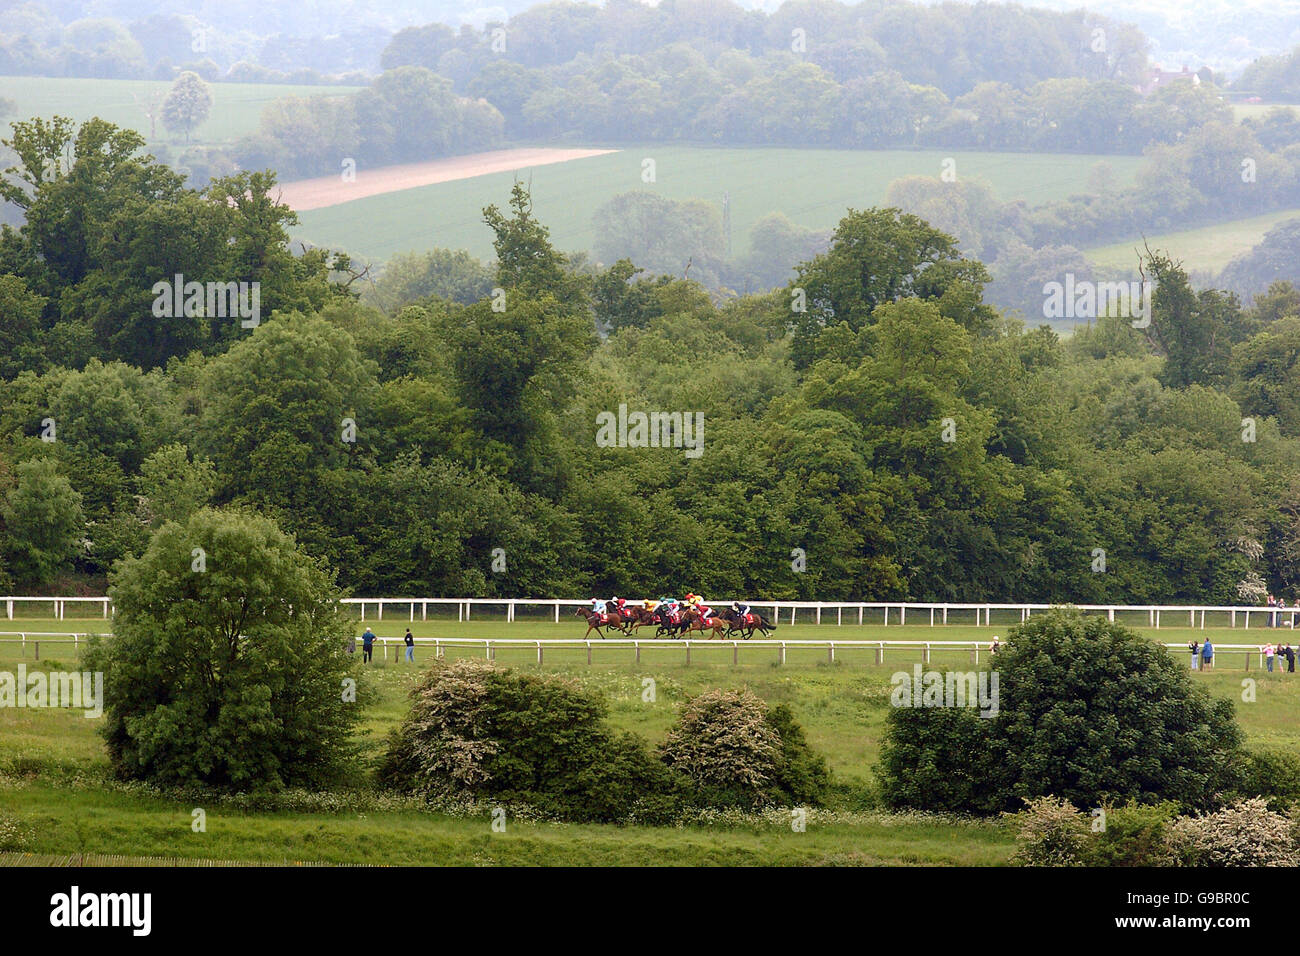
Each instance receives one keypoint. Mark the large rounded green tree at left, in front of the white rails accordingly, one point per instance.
(228, 665)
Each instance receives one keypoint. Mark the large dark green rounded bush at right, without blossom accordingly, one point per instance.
(1090, 712)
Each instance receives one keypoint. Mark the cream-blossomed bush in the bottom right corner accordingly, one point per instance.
(1247, 834)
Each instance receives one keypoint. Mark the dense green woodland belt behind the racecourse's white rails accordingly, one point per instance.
(911, 439)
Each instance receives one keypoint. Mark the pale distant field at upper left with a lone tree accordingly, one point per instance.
(236, 107)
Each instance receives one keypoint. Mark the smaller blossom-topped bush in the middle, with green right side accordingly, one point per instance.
(739, 755)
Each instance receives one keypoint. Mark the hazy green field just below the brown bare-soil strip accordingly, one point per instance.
(814, 188)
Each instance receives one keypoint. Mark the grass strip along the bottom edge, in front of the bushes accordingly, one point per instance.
(84, 820)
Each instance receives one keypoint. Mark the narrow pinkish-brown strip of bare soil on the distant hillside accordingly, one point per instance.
(332, 191)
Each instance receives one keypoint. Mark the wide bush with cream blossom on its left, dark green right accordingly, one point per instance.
(523, 739)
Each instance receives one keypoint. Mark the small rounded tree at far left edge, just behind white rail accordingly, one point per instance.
(44, 520)
